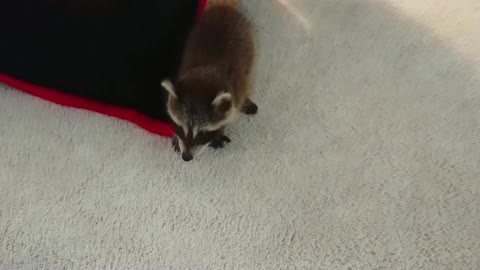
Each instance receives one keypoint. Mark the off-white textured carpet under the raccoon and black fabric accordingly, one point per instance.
(365, 155)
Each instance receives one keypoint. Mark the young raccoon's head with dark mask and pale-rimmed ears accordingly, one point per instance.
(198, 108)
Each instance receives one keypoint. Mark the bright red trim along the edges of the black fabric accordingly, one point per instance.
(152, 125)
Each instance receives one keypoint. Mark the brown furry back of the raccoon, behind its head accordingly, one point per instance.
(222, 39)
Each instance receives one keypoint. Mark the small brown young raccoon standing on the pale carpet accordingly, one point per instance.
(213, 82)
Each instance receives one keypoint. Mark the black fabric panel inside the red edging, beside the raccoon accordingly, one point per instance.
(113, 51)
